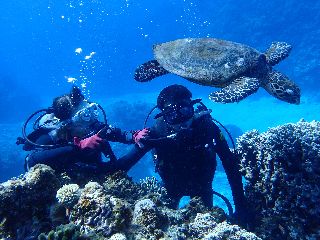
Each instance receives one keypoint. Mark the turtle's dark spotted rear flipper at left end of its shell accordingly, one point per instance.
(149, 71)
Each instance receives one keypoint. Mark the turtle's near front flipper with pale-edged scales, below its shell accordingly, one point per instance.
(236, 91)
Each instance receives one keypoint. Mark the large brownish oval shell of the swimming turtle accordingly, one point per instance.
(206, 61)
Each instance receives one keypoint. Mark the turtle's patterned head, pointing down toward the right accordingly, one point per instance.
(279, 86)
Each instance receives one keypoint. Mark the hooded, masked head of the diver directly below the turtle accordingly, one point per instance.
(175, 104)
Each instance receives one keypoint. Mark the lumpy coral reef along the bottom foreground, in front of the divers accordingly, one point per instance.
(116, 209)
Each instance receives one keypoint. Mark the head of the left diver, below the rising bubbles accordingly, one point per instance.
(62, 107)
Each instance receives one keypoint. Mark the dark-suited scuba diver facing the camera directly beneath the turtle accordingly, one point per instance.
(185, 141)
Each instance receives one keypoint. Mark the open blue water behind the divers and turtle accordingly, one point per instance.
(39, 39)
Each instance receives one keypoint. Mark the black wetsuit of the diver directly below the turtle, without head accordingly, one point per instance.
(187, 162)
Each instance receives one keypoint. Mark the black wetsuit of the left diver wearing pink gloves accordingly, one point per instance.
(68, 157)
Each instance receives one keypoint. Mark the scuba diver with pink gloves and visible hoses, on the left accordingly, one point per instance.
(71, 135)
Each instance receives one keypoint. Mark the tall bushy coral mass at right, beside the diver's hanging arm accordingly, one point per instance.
(282, 169)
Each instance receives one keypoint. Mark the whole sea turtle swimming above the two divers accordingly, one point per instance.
(236, 68)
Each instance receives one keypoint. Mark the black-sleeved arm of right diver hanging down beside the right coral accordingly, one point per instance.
(231, 167)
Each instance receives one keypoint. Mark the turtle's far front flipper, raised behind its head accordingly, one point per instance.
(277, 52)
